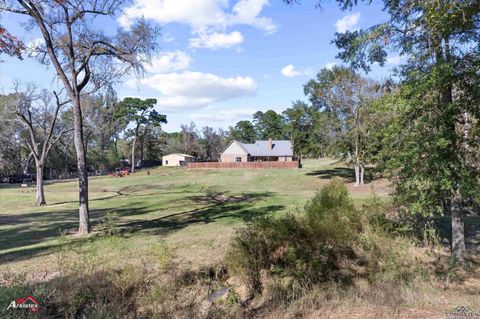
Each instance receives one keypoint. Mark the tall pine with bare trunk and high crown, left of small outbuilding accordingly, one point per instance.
(141, 113)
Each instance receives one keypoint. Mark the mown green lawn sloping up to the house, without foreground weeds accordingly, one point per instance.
(194, 211)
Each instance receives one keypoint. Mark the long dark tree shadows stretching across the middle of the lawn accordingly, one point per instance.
(27, 229)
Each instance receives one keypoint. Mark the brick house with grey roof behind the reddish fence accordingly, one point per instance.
(259, 151)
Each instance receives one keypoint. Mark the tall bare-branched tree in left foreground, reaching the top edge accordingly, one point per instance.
(84, 56)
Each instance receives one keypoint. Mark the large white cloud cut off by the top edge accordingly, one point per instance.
(205, 17)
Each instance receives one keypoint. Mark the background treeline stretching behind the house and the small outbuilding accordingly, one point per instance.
(129, 132)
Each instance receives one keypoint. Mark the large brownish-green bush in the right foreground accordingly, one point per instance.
(330, 240)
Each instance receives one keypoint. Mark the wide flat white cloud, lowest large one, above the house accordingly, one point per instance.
(187, 90)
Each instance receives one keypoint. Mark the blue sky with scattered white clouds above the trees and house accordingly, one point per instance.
(220, 61)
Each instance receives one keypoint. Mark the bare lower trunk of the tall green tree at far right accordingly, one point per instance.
(458, 229)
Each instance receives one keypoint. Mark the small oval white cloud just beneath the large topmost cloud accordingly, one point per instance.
(169, 62)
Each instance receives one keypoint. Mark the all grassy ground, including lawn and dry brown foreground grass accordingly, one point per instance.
(179, 223)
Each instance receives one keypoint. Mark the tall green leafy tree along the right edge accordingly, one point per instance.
(441, 40)
